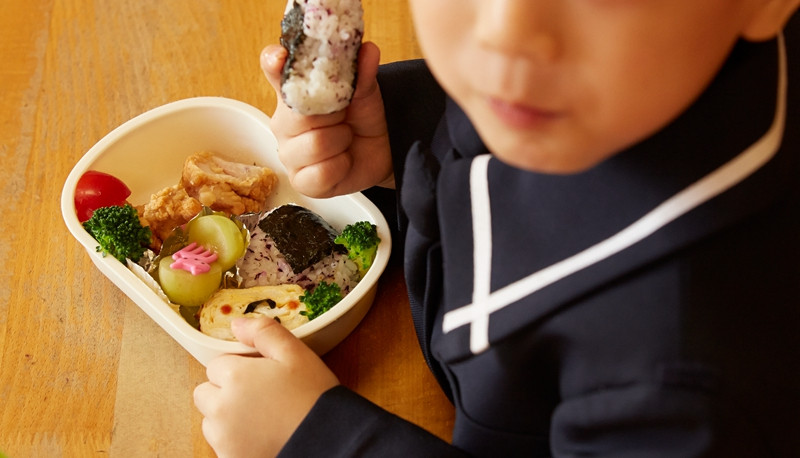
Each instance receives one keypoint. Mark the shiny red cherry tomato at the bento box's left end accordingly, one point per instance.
(97, 189)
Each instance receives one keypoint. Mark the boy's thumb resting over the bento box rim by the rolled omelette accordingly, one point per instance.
(267, 336)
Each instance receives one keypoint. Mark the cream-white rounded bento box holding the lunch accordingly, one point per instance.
(147, 153)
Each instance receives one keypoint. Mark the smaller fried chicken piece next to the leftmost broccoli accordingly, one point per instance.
(166, 210)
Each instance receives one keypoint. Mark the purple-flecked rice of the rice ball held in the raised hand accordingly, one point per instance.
(322, 75)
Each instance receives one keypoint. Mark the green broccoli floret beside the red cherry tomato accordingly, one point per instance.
(118, 231)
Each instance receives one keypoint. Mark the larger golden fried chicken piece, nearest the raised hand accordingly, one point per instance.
(226, 186)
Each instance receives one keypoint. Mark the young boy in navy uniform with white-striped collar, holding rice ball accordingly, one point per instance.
(602, 235)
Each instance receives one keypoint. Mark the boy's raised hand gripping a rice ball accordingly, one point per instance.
(338, 153)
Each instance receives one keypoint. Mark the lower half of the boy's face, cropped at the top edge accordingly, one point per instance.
(559, 85)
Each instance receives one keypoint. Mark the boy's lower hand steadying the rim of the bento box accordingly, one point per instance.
(252, 405)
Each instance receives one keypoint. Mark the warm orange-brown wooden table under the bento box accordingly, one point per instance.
(83, 371)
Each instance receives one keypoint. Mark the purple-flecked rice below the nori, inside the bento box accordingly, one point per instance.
(264, 265)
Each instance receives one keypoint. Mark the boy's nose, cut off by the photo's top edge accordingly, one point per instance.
(520, 27)
